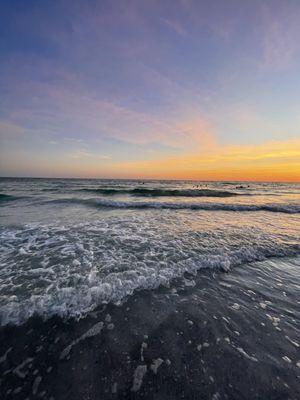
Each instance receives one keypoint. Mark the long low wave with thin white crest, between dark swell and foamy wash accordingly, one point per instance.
(102, 203)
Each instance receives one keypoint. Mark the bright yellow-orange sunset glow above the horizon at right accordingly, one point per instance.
(271, 161)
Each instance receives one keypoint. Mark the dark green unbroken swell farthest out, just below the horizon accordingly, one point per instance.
(163, 192)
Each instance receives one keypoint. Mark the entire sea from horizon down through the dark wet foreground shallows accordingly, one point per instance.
(120, 289)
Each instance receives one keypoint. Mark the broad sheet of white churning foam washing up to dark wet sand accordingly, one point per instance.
(70, 270)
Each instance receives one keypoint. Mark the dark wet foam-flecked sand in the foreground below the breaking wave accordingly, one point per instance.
(213, 336)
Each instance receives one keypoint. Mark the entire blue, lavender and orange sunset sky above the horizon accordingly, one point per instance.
(168, 89)
